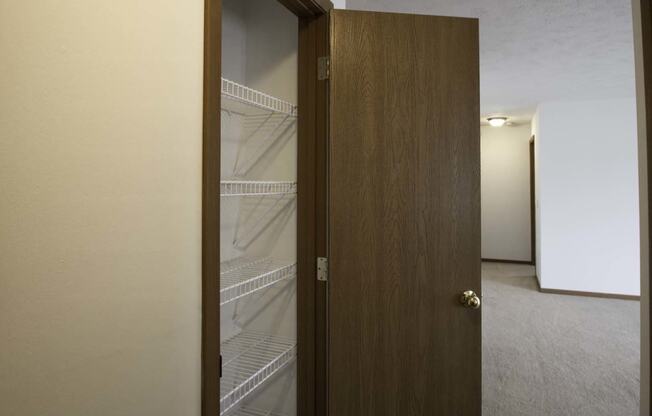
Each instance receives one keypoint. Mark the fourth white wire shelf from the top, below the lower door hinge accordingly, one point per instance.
(248, 360)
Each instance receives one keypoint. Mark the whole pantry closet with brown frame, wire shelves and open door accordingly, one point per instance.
(341, 212)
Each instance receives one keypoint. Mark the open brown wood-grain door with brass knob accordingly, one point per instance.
(404, 216)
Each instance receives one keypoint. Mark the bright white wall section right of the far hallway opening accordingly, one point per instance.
(588, 196)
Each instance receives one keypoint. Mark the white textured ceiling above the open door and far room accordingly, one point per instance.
(539, 50)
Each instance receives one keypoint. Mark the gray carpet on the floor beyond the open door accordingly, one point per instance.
(556, 355)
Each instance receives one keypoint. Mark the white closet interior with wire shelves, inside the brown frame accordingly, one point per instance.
(258, 311)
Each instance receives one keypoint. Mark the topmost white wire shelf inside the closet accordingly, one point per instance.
(247, 101)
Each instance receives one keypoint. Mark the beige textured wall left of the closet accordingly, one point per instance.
(100, 216)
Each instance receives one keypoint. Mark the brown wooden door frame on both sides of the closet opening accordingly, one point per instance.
(311, 239)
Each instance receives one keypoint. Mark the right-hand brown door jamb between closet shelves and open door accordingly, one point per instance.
(312, 220)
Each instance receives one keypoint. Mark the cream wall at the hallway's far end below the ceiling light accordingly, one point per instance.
(505, 155)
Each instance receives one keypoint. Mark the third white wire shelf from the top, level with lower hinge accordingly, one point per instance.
(244, 276)
